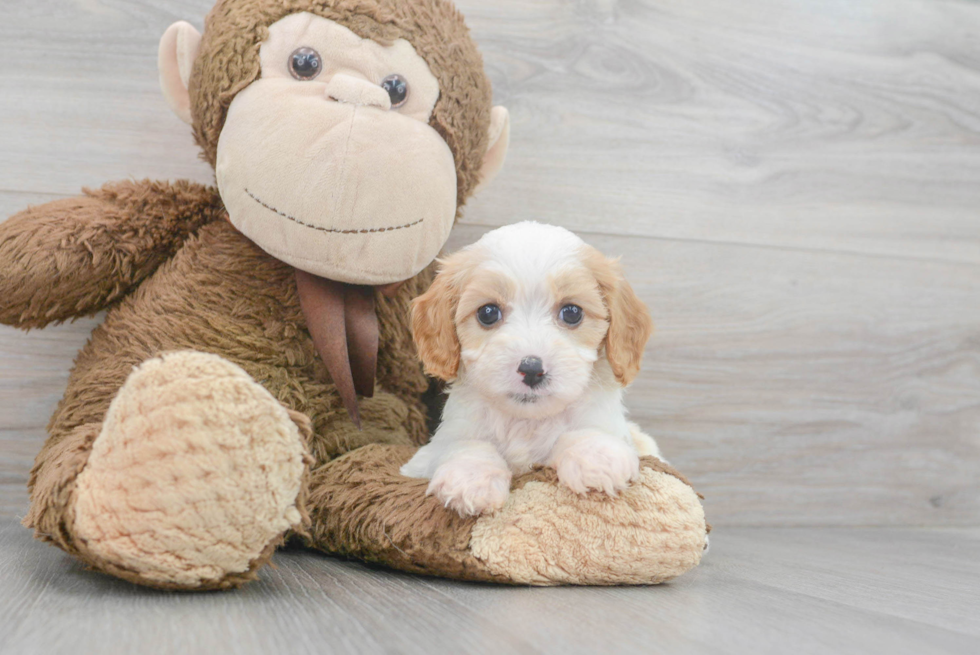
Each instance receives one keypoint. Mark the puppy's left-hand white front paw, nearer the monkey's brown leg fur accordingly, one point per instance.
(470, 488)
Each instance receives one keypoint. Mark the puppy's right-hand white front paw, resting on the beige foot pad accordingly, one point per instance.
(599, 462)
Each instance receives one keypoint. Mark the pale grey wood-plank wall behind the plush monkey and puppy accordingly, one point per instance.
(793, 186)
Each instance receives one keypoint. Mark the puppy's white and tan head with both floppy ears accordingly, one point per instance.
(522, 316)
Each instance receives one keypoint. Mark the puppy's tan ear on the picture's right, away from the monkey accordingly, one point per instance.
(630, 325)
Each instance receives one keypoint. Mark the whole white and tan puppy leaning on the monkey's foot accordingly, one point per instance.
(537, 333)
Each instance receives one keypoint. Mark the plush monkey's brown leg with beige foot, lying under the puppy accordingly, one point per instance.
(544, 535)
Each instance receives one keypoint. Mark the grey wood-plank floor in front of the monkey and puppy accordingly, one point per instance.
(760, 590)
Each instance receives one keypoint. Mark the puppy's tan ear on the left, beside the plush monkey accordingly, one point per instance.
(433, 325)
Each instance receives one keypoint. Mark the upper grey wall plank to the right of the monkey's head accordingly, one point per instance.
(848, 126)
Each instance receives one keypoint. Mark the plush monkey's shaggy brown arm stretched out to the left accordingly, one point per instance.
(76, 256)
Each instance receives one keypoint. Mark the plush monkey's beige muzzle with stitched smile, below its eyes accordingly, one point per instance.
(351, 193)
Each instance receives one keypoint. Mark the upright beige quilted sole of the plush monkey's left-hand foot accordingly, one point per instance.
(193, 479)
